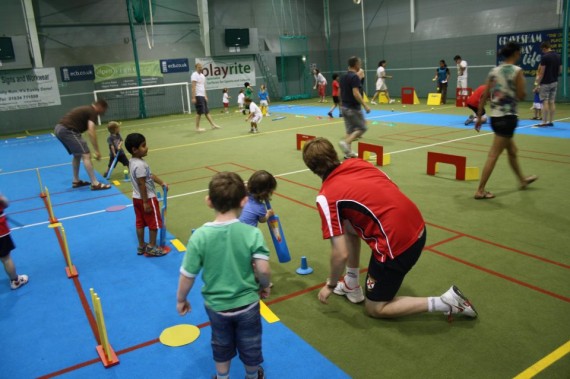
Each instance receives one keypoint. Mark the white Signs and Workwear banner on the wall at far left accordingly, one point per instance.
(24, 89)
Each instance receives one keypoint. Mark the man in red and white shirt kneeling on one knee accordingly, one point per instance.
(359, 202)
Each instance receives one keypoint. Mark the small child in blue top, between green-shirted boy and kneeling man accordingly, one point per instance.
(260, 188)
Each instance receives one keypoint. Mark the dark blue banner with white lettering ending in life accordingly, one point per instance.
(530, 47)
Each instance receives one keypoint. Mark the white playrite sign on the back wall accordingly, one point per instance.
(227, 73)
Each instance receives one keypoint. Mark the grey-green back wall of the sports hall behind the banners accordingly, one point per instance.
(98, 32)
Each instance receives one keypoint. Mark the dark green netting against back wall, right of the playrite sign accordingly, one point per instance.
(293, 71)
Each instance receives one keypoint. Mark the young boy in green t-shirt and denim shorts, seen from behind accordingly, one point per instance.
(224, 251)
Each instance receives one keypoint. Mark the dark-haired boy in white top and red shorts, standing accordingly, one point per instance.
(145, 203)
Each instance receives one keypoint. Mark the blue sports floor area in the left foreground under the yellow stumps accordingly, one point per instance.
(47, 327)
